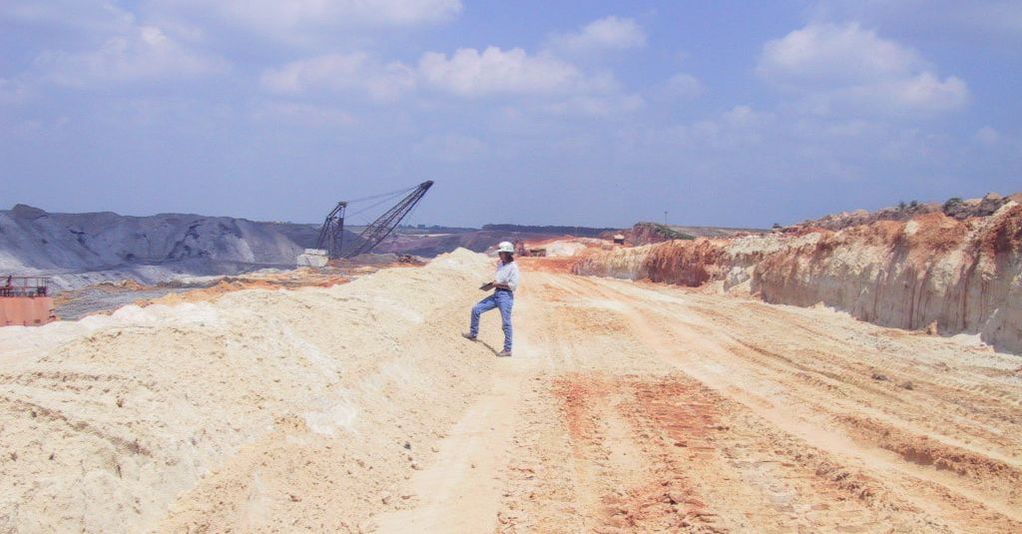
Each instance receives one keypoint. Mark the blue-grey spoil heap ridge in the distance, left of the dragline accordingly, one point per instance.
(147, 249)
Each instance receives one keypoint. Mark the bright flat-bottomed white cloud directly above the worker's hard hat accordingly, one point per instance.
(470, 73)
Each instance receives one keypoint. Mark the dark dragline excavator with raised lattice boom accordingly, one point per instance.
(332, 236)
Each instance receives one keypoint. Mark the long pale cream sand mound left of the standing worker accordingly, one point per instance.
(263, 411)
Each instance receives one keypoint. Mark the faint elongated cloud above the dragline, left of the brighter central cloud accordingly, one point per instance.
(342, 73)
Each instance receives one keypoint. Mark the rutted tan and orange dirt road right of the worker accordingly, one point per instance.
(635, 408)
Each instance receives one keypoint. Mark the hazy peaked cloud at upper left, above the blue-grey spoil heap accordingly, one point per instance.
(144, 54)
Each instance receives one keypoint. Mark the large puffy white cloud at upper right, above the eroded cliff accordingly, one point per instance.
(847, 67)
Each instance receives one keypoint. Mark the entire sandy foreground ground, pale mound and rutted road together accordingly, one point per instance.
(627, 408)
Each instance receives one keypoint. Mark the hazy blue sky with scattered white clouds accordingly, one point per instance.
(740, 114)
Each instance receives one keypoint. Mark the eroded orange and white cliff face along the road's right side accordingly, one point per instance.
(963, 276)
